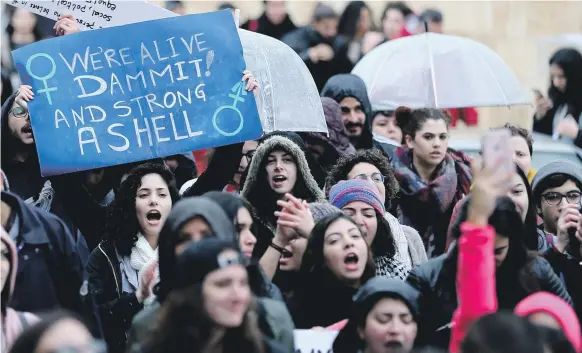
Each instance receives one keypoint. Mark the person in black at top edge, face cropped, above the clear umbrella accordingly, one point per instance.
(274, 22)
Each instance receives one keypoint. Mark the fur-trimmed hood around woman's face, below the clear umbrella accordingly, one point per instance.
(256, 188)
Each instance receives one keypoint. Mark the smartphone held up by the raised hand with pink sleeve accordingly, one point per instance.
(497, 150)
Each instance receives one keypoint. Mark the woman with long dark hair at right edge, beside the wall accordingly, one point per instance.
(561, 114)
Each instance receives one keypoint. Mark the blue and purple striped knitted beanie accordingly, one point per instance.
(347, 191)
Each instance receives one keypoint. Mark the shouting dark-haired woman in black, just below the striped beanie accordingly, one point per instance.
(336, 263)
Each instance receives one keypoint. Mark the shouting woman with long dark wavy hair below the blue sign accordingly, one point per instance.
(123, 268)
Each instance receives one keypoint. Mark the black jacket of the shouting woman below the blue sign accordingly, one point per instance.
(115, 308)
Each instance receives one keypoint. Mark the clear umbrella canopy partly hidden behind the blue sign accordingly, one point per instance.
(288, 99)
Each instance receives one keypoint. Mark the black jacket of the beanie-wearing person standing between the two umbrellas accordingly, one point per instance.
(301, 39)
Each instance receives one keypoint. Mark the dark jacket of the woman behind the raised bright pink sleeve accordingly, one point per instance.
(438, 297)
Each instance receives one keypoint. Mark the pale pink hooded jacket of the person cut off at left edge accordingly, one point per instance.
(11, 323)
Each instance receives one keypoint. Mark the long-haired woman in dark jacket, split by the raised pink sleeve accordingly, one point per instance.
(518, 273)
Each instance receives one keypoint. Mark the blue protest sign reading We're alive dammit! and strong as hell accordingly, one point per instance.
(136, 92)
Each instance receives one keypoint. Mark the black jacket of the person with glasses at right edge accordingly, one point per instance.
(569, 270)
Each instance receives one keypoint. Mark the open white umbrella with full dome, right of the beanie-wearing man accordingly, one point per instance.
(433, 70)
